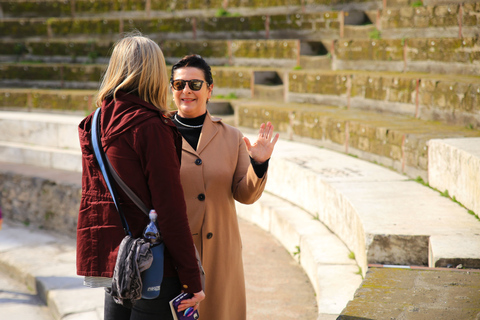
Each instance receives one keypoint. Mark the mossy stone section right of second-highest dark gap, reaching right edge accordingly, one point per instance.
(439, 55)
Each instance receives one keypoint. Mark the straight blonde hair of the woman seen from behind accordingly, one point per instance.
(137, 65)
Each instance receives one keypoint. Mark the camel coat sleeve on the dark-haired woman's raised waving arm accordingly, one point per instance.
(247, 187)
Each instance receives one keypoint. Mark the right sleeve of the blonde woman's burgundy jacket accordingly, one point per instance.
(161, 167)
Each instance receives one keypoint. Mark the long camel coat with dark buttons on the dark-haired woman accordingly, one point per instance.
(215, 175)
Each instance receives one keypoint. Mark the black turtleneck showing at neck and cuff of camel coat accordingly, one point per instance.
(190, 128)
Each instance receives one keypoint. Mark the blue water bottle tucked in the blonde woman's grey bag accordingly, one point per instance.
(153, 276)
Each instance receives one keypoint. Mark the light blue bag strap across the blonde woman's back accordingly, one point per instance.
(100, 156)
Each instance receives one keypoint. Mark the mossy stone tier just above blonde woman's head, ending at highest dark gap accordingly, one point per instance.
(314, 25)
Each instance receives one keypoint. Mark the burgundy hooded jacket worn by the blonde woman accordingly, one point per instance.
(145, 149)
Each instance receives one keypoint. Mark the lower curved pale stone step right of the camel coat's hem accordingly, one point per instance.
(321, 254)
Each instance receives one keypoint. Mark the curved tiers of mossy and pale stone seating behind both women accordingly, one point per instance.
(394, 83)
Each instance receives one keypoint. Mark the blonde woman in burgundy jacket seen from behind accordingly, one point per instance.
(144, 147)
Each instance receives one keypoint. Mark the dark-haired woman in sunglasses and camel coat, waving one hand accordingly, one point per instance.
(219, 166)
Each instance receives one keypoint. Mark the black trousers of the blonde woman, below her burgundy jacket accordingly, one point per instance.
(143, 309)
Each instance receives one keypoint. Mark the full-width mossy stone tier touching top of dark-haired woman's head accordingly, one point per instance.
(439, 55)
